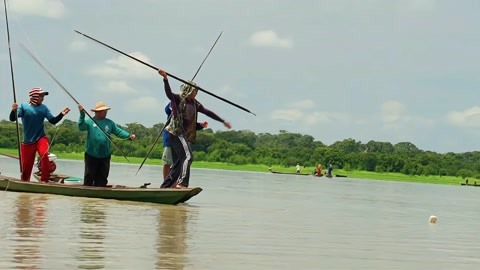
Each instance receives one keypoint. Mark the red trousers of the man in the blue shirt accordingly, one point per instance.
(28, 152)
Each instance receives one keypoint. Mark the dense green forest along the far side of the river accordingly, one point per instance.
(284, 148)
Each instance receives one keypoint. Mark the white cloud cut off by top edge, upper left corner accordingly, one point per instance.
(53, 9)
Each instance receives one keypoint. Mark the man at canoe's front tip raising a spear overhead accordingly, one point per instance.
(182, 130)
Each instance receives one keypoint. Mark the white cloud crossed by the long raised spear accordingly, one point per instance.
(124, 67)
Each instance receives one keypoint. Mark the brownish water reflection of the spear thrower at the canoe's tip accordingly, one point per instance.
(172, 246)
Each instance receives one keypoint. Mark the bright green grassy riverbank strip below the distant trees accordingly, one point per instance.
(445, 180)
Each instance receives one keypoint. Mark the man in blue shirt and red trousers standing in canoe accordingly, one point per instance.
(33, 113)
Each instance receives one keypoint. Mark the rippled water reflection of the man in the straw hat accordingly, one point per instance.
(92, 235)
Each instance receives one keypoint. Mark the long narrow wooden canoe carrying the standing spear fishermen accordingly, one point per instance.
(139, 194)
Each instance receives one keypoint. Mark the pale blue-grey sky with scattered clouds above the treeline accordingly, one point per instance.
(388, 71)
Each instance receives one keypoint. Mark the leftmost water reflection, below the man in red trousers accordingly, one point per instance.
(29, 230)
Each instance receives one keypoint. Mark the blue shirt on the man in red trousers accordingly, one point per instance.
(32, 121)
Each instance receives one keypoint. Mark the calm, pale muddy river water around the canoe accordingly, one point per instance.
(243, 220)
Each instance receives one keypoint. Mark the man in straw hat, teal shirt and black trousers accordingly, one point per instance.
(98, 152)
